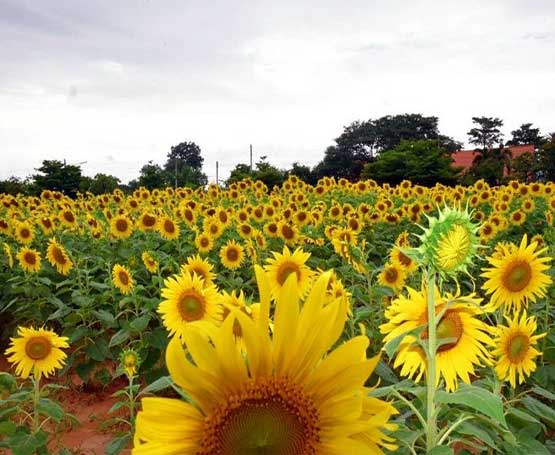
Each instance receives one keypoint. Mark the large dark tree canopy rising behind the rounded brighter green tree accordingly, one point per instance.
(361, 142)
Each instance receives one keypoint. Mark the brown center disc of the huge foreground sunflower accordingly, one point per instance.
(269, 417)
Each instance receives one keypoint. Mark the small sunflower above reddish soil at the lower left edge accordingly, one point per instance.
(36, 351)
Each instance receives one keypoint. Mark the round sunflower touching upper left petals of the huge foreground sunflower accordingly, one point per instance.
(189, 304)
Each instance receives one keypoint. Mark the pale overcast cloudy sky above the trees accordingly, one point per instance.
(111, 85)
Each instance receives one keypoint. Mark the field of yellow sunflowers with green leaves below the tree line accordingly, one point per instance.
(340, 318)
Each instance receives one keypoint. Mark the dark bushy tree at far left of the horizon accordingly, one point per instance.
(57, 176)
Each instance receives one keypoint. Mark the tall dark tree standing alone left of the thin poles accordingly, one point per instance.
(184, 164)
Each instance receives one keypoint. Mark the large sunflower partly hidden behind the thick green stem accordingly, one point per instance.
(455, 359)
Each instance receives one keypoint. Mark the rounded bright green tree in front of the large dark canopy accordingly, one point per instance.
(423, 162)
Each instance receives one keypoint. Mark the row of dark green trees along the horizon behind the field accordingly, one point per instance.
(388, 149)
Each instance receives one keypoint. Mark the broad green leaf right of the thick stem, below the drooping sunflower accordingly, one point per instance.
(479, 399)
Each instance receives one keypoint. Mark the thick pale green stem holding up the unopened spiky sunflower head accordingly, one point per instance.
(431, 415)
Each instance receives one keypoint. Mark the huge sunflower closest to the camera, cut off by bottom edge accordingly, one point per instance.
(281, 394)
